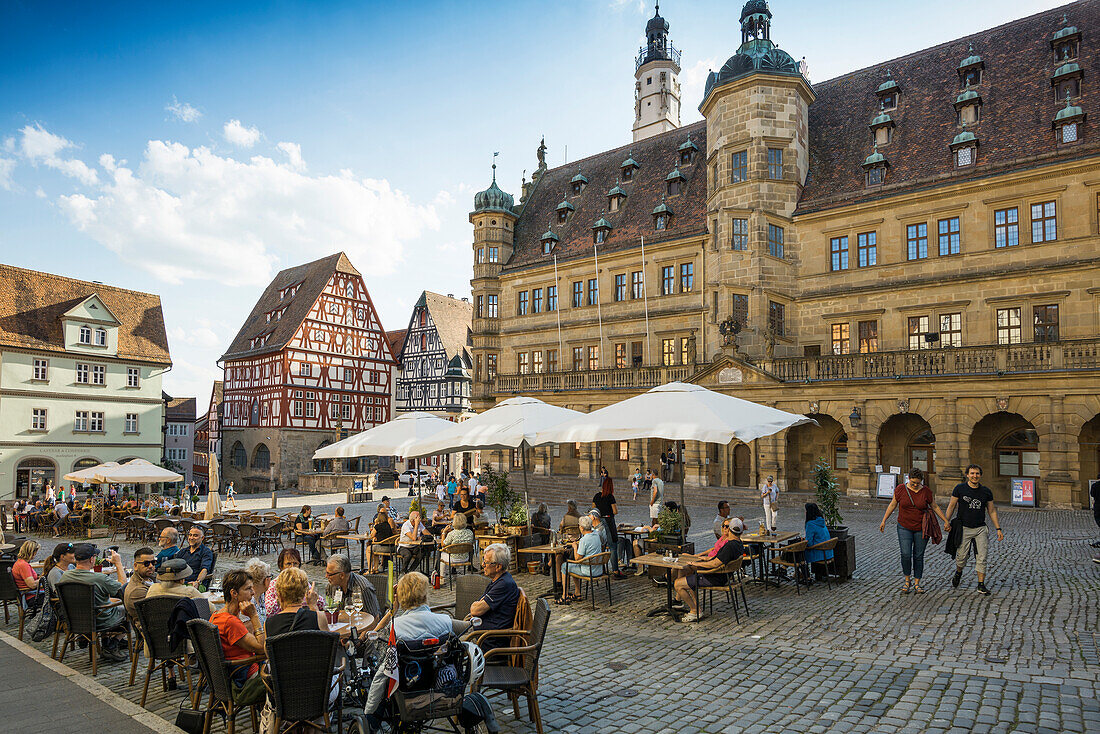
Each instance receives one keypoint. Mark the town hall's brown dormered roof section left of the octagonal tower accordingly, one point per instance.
(657, 158)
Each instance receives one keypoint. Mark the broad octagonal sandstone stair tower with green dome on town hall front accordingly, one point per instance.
(757, 129)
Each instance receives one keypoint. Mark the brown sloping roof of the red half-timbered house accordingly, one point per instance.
(313, 277)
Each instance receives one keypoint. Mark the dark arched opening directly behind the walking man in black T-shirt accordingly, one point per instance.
(1006, 445)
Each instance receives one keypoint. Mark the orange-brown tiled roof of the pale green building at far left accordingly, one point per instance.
(32, 304)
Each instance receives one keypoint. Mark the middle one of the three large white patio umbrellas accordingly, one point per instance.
(511, 425)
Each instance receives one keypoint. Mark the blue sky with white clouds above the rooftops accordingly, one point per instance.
(193, 150)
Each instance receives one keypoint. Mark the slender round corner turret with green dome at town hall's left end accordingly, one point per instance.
(494, 223)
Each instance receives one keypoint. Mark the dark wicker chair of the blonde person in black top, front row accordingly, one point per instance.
(300, 678)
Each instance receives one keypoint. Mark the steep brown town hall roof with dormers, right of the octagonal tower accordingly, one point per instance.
(1014, 133)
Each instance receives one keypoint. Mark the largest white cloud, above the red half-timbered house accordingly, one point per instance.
(190, 214)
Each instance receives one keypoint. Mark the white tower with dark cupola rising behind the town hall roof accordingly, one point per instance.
(656, 87)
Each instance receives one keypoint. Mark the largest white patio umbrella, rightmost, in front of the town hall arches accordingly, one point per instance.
(677, 412)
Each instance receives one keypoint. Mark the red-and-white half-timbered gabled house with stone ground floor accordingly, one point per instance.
(311, 366)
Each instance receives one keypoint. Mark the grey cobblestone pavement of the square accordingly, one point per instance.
(860, 658)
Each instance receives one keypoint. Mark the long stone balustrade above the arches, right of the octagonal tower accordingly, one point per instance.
(992, 359)
